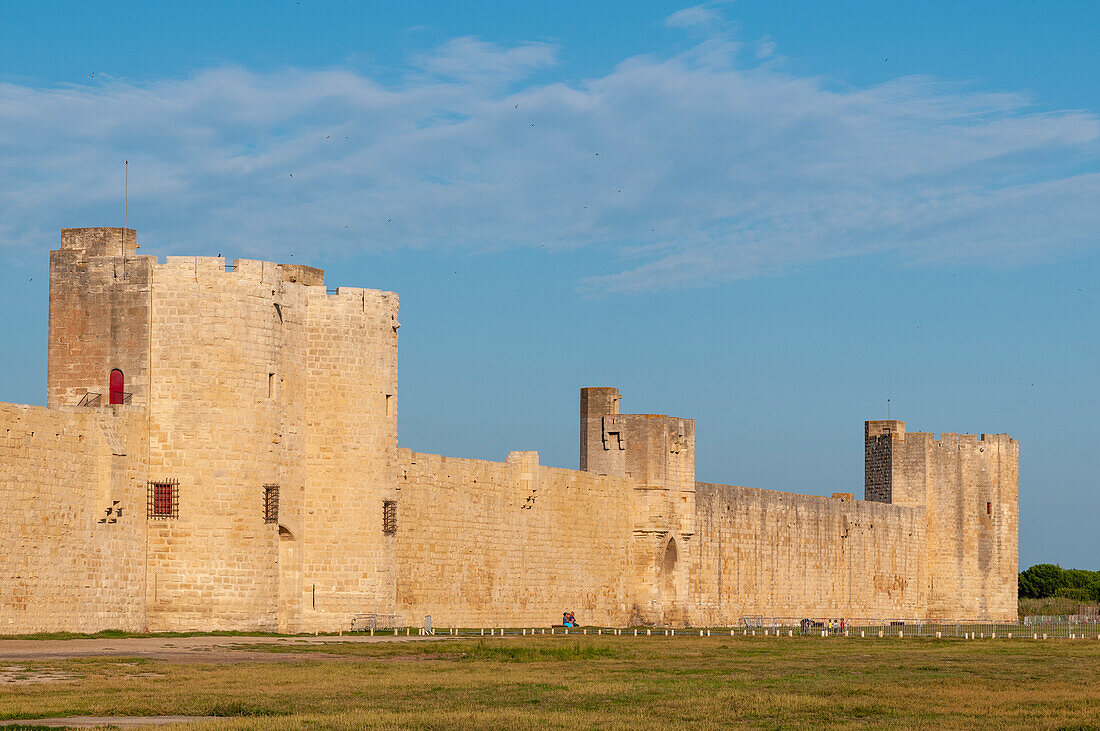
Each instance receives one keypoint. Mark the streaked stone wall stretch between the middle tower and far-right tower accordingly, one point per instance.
(782, 555)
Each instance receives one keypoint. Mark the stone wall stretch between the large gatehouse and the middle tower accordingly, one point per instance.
(492, 545)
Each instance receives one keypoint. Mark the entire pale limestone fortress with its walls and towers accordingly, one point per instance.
(219, 452)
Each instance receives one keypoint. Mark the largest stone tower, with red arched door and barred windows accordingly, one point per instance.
(271, 407)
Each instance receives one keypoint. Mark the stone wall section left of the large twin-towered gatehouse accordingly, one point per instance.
(73, 501)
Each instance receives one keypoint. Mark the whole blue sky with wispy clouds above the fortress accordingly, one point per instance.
(768, 217)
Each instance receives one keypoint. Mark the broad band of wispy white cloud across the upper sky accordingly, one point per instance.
(699, 168)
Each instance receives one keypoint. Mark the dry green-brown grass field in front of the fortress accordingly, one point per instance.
(621, 683)
